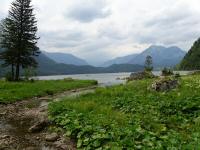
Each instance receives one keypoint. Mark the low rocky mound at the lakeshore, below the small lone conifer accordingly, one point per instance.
(141, 75)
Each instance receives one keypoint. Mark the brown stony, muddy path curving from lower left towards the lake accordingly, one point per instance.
(23, 125)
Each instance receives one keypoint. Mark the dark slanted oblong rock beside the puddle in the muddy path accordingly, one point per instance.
(39, 126)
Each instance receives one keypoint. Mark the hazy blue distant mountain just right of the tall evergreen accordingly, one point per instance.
(66, 58)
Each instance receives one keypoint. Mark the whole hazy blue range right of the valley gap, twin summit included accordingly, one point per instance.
(162, 57)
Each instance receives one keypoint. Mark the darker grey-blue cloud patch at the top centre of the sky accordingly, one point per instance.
(88, 10)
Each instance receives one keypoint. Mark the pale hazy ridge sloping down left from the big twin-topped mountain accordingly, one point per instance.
(120, 60)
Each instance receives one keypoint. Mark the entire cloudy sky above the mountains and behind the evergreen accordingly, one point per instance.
(98, 30)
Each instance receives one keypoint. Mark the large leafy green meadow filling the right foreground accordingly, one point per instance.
(133, 117)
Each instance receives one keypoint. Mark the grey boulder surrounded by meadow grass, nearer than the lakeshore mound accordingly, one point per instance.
(165, 85)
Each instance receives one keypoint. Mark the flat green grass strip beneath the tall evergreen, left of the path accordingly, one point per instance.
(15, 91)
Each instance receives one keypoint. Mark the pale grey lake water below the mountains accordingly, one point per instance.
(104, 79)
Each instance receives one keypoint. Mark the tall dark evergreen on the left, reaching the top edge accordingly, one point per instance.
(18, 37)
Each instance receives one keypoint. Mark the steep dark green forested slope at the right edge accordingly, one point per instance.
(191, 61)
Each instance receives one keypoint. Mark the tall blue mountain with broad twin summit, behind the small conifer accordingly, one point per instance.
(162, 56)
